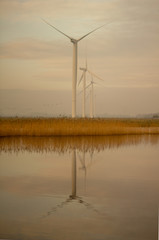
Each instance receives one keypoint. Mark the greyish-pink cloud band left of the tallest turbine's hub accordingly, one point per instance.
(33, 49)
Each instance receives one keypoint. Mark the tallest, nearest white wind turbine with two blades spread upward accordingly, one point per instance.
(74, 70)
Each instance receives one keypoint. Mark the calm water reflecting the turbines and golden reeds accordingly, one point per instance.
(94, 188)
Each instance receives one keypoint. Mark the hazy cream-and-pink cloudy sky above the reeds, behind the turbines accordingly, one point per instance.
(36, 60)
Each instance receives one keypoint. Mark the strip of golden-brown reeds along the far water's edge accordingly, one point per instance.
(76, 127)
